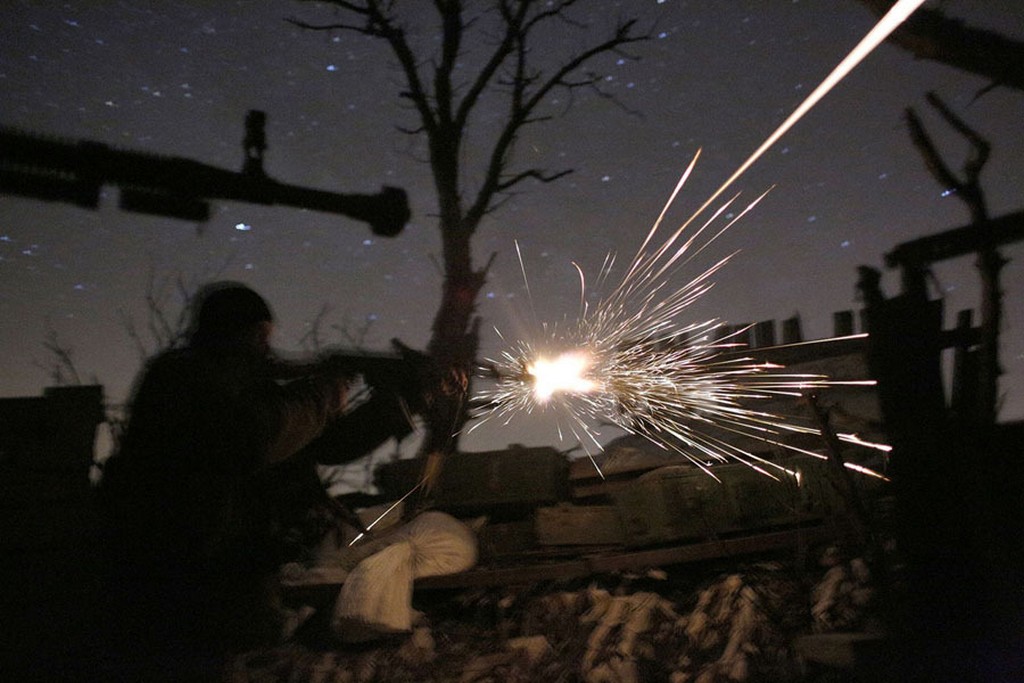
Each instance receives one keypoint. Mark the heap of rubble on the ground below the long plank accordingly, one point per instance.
(734, 626)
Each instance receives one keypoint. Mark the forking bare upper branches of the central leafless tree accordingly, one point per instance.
(445, 117)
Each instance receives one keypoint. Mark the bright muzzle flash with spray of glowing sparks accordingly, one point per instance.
(632, 362)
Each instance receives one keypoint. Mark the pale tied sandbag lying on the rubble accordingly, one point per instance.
(376, 600)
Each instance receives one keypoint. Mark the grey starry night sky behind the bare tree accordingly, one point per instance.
(178, 78)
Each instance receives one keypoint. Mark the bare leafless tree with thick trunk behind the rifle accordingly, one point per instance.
(446, 95)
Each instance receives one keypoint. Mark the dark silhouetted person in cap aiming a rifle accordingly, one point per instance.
(190, 553)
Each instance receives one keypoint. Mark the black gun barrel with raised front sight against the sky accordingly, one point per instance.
(58, 170)
